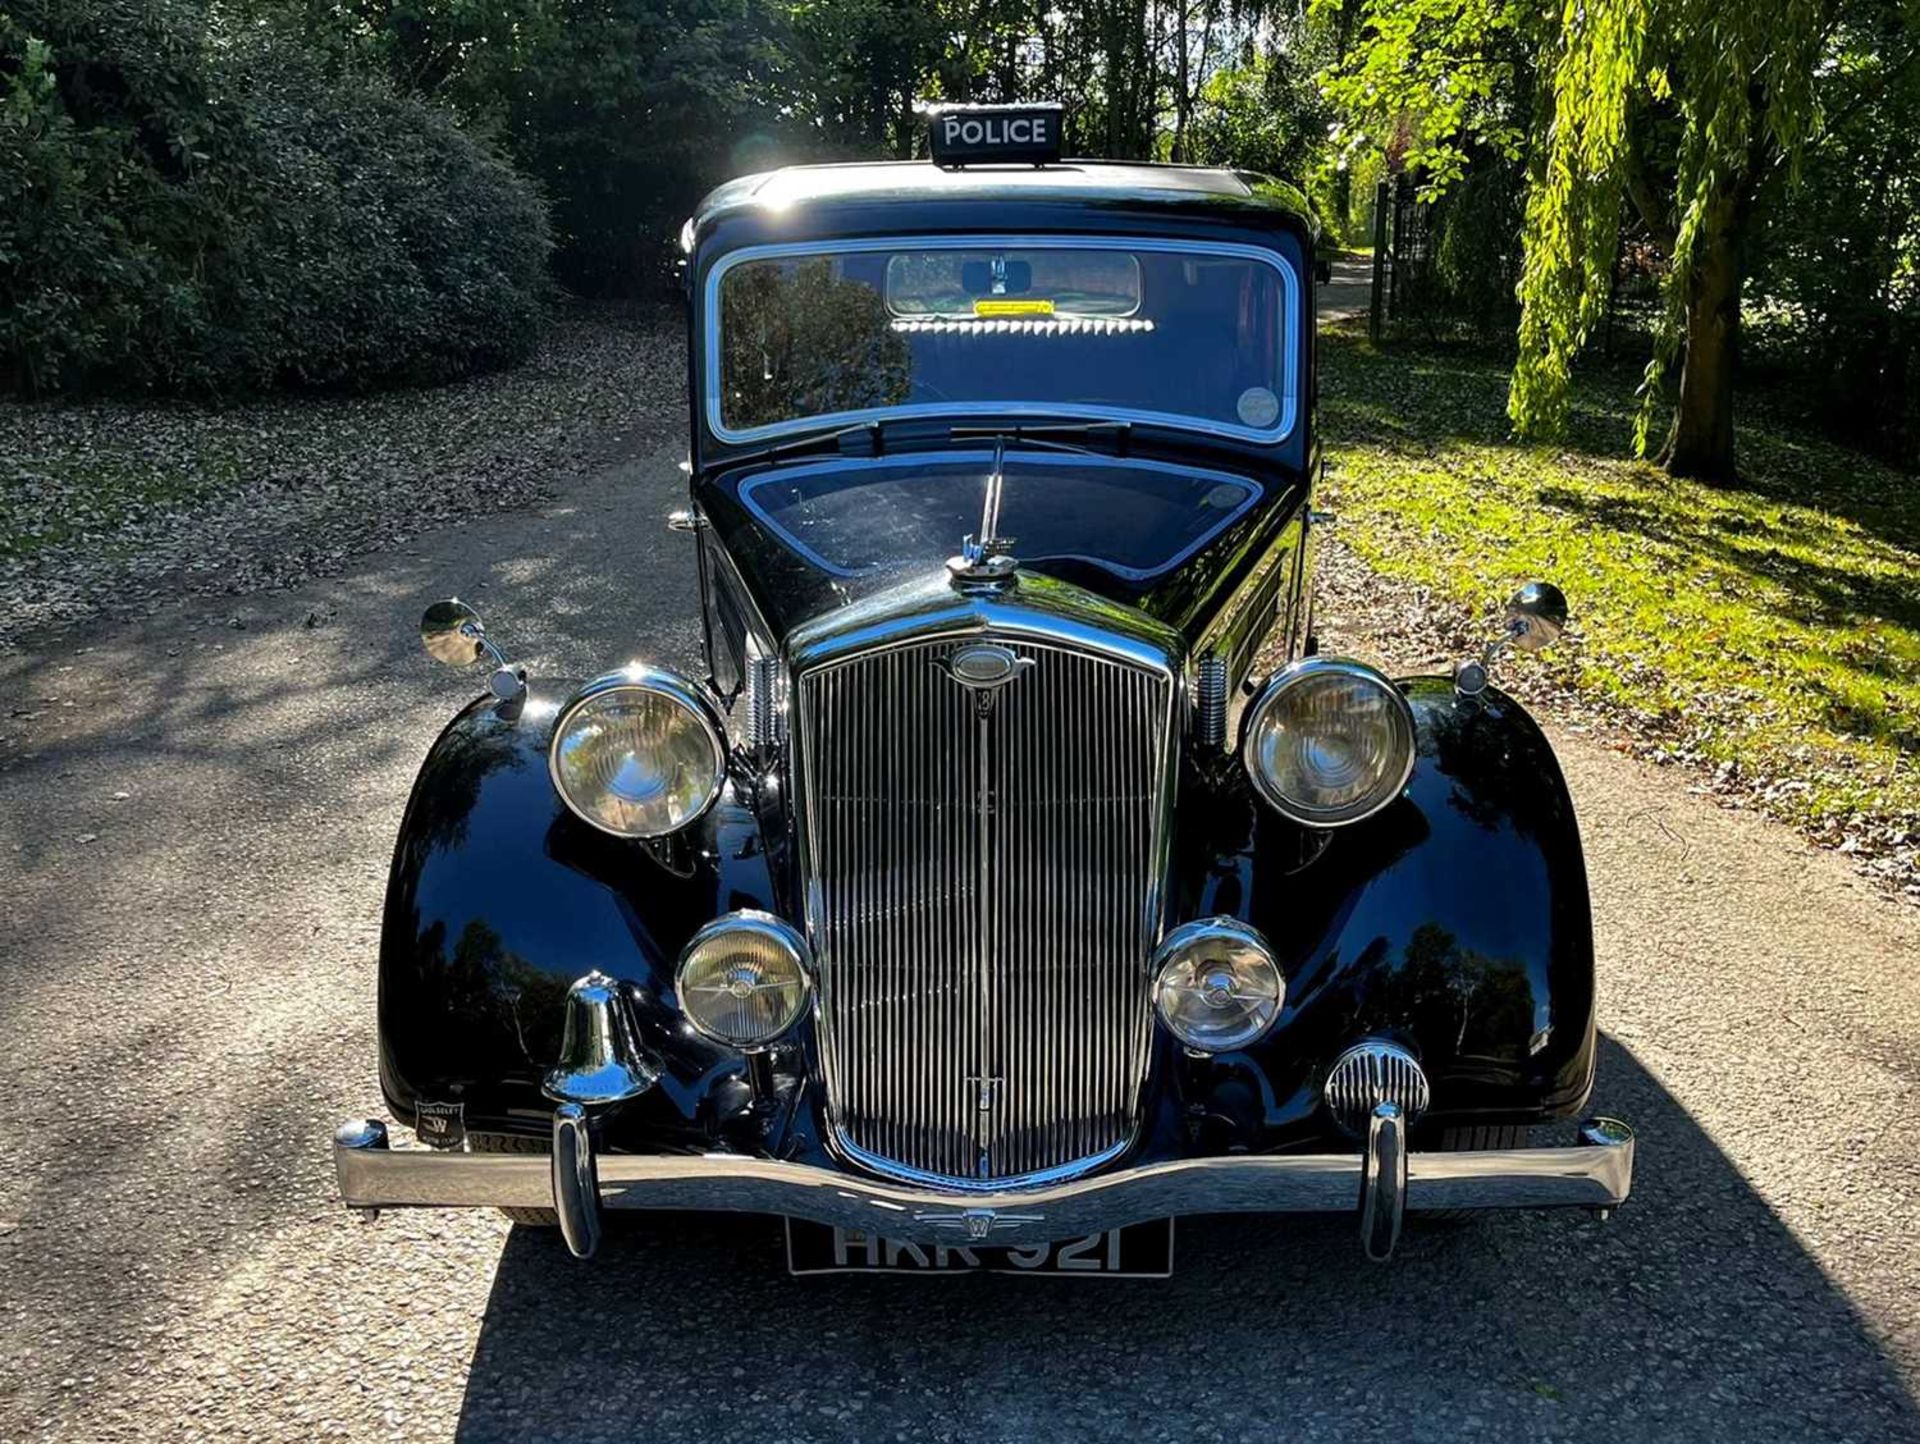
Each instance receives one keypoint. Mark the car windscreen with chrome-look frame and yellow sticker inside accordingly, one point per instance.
(1189, 335)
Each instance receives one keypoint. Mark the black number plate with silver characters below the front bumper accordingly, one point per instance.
(1140, 1251)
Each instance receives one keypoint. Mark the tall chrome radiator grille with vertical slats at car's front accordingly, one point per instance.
(984, 878)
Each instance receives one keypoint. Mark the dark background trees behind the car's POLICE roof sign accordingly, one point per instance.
(627, 110)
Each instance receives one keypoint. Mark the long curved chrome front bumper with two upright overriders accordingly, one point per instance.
(1381, 1182)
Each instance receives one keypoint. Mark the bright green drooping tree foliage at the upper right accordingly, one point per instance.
(1756, 160)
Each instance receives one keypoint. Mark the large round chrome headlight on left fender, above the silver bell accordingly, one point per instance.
(638, 754)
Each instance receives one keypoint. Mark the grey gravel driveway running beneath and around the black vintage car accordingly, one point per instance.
(197, 823)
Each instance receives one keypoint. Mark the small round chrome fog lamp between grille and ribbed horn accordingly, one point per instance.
(1216, 984)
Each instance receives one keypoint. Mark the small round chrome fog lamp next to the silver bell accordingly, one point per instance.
(744, 980)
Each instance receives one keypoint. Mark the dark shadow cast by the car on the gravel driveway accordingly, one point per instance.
(1694, 1314)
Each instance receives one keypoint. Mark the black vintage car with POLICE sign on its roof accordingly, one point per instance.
(992, 902)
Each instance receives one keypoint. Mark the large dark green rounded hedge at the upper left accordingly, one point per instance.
(199, 203)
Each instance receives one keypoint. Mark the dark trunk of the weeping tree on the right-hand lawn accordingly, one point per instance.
(1702, 439)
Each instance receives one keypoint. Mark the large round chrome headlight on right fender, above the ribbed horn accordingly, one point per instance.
(1330, 742)
